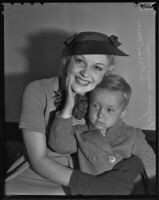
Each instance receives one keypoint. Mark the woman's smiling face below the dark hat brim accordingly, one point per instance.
(87, 71)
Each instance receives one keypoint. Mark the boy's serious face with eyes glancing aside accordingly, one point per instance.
(105, 108)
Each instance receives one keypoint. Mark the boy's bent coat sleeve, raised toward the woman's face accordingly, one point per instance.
(62, 138)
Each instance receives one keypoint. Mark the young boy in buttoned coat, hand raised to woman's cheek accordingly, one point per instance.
(105, 139)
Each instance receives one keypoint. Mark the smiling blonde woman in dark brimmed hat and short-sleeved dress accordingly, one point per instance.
(87, 57)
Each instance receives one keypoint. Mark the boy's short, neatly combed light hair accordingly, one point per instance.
(114, 82)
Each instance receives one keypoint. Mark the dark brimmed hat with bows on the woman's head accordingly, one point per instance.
(92, 43)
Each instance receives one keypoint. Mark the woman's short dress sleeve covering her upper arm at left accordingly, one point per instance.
(33, 106)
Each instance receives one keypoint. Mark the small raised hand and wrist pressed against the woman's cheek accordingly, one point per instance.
(70, 98)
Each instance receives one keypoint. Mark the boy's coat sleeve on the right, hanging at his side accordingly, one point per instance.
(144, 151)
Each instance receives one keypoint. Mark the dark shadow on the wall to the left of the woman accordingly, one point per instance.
(42, 56)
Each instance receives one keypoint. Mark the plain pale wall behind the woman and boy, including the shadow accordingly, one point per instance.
(34, 36)
